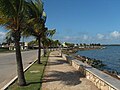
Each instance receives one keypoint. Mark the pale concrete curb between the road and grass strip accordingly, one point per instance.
(15, 78)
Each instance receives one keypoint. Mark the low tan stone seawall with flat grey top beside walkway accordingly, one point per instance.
(102, 80)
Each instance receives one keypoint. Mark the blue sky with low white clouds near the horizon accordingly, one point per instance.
(83, 21)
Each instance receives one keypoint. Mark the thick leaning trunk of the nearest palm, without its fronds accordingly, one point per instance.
(21, 78)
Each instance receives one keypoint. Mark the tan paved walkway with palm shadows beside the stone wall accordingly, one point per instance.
(59, 75)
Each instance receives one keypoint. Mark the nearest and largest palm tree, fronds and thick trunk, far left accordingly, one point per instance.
(12, 16)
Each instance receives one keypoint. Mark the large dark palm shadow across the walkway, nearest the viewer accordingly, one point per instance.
(67, 78)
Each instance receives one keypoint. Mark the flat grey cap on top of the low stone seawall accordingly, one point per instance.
(113, 82)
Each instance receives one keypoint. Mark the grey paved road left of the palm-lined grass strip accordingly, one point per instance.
(8, 65)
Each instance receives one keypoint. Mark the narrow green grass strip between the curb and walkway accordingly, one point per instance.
(33, 76)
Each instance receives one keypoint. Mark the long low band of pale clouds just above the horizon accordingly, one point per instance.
(112, 37)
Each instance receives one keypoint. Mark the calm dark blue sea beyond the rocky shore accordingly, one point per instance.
(110, 56)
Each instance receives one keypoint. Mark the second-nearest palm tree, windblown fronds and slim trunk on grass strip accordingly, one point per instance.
(36, 22)
